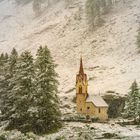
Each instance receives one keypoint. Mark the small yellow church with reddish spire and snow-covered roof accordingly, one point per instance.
(89, 105)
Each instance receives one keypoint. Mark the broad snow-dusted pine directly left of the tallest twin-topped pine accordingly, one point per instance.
(21, 93)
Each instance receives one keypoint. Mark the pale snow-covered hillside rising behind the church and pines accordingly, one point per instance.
(110, 55)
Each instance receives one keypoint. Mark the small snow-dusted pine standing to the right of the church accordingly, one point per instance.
(132, 103)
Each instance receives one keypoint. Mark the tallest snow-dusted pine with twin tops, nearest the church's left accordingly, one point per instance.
(47, 100)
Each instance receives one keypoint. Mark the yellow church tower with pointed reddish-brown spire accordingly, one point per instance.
(81, 89)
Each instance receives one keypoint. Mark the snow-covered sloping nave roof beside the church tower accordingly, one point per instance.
(97, 100)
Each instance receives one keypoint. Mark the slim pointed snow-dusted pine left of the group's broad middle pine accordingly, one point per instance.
(10, 67)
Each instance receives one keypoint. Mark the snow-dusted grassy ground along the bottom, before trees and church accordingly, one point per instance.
(82, 131)
